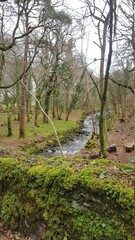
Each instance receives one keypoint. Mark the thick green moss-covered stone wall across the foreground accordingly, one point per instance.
(74, 199)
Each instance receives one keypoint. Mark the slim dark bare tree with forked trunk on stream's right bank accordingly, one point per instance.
(104, 20)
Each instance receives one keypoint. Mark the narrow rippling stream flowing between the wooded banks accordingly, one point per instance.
(77, 142)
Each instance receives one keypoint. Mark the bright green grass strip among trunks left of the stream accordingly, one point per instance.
(43, 129)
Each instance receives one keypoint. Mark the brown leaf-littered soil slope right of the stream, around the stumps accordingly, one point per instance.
(121, 134)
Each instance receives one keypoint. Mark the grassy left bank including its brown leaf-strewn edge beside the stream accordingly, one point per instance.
(37, 138)
